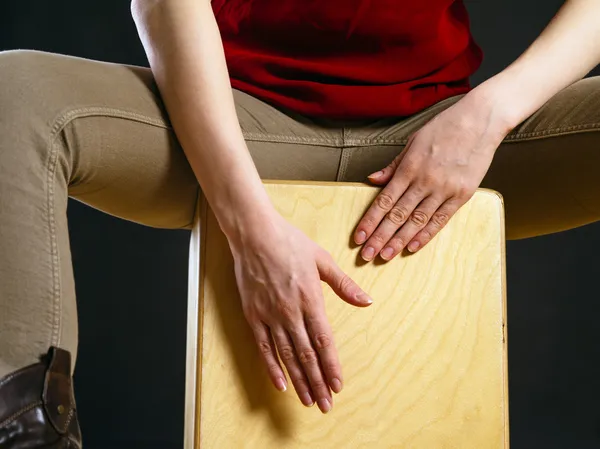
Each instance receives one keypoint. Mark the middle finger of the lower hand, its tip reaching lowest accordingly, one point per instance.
(309, 360)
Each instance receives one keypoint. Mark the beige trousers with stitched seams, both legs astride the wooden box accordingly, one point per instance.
(97, 132)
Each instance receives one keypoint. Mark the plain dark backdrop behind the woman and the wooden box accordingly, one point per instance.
(132, 280)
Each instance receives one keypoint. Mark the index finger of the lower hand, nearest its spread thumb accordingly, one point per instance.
(321, 336)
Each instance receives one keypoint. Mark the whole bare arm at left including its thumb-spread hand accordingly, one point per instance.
(278, 269)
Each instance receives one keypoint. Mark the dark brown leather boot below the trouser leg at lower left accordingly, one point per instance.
(37, 405)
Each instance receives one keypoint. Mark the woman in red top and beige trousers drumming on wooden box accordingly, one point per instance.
(321, 90)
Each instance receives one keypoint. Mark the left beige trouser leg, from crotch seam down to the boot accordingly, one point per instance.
(98, 132)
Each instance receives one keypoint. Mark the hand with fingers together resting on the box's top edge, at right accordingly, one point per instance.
(439, 170)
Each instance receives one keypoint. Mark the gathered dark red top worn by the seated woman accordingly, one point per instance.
(352, 59)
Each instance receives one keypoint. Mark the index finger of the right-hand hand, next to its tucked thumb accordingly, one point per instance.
(385, 200)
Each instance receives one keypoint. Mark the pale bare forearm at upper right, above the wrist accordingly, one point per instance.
(565, 52)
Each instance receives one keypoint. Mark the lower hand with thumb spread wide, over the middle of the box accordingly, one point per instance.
(278, 271)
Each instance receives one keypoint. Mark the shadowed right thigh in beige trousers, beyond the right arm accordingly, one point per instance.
(547, 168)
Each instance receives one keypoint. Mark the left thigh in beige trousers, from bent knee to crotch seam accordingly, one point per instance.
(118, 153)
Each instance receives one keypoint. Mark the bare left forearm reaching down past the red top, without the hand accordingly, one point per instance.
(186, 55)
